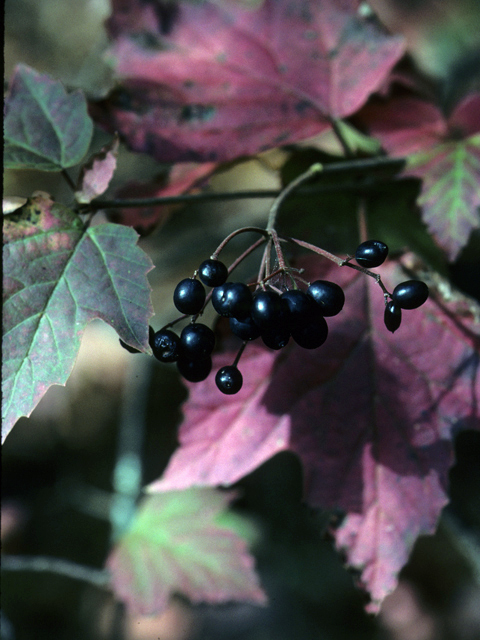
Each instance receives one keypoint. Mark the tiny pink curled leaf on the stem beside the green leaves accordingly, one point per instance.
(96, 174)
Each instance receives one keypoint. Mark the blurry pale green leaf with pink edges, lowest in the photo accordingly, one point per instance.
(183, 542)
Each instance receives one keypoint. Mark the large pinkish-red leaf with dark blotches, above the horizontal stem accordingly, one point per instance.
(213, 81)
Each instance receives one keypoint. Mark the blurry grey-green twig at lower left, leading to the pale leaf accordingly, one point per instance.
(96, 577)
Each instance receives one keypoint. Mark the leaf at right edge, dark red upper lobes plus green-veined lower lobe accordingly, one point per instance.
(444, 153)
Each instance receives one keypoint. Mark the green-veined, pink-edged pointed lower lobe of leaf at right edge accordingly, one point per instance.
(450, 197)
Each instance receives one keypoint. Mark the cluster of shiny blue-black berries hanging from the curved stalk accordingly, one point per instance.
(270, 313)
